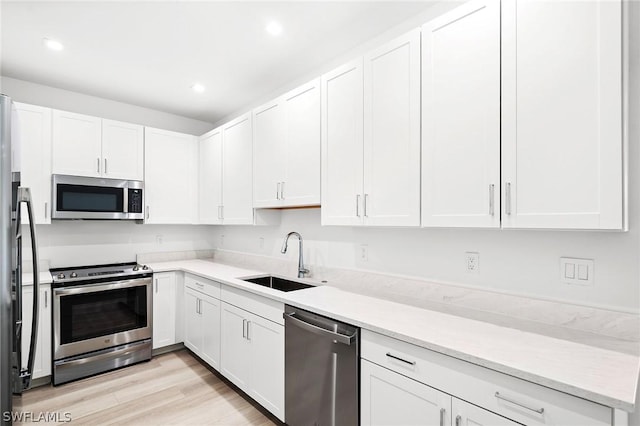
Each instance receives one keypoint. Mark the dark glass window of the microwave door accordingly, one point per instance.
(82, 198)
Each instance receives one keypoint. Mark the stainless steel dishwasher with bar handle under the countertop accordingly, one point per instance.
(322, 370)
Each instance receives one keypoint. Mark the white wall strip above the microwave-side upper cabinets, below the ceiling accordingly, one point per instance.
(38, 94)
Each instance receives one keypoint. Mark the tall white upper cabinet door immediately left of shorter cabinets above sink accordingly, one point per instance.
(237, 180)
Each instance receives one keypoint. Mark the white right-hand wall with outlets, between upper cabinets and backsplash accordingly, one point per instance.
(519, 262)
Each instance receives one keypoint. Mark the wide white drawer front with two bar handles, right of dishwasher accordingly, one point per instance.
(516, 399)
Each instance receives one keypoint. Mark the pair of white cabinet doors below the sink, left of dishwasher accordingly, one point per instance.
(252, 356)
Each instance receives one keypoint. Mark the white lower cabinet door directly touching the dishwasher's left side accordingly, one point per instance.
(267, 364)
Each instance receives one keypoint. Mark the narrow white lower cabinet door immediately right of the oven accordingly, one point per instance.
(164, 309)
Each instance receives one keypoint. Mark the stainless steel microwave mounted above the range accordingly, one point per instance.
(77, 197)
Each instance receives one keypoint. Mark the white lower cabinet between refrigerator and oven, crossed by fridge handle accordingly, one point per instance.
(42, 361)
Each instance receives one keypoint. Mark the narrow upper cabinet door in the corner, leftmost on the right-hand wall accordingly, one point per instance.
(210, 185)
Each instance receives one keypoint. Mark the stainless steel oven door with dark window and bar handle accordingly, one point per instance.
(91, 317)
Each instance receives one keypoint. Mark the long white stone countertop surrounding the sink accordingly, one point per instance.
(596, 374)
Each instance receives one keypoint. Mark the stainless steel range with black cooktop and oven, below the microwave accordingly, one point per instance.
(102, 319)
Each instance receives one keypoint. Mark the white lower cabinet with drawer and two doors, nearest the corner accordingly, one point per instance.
(202, 319)
